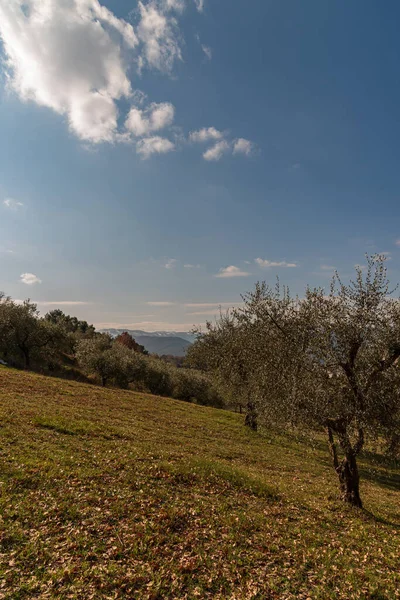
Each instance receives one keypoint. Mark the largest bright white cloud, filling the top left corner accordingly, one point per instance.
(65, 56)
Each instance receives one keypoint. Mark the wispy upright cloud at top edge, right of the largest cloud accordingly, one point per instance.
(158, 33)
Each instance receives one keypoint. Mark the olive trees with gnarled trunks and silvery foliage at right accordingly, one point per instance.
(318, 363)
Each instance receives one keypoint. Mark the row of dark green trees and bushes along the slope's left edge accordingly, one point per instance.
(65, 345)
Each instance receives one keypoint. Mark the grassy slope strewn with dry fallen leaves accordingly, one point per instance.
(112, 494)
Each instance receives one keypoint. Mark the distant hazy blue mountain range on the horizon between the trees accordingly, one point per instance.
(175, 343)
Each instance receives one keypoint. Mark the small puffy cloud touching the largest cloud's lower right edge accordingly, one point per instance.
(155, 117)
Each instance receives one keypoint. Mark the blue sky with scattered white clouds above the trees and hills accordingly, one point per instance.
(157, 158)
